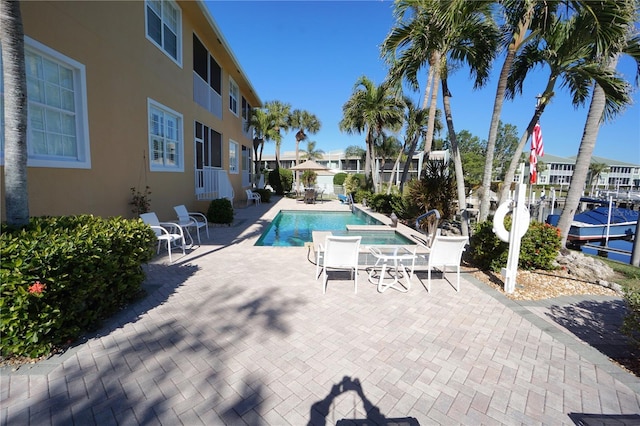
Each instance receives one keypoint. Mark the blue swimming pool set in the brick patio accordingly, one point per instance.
(292, 228)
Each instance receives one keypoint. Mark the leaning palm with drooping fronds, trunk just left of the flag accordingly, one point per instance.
(565, 49)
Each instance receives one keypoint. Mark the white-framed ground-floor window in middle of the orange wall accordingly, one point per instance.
(165, 138)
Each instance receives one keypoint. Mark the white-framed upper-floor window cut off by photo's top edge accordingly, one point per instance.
(164, 27)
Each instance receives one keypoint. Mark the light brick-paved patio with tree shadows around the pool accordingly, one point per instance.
(242, 335)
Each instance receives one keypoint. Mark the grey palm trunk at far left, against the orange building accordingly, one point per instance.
(15, 114)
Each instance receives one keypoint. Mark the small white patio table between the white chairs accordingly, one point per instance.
(394, 260)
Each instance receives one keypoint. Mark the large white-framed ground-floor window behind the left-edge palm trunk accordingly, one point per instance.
(58, 130)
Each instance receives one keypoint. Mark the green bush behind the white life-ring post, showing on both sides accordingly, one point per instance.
(539, 247)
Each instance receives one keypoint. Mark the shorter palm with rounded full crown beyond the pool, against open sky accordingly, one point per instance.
(371, 109)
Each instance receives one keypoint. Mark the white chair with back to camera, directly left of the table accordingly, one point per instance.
(339, 253)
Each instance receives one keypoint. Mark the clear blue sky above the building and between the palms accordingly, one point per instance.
(310, 54)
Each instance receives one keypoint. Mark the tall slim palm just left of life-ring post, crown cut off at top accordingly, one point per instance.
(523, 21)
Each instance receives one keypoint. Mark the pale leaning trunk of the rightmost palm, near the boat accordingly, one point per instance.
(583, 160)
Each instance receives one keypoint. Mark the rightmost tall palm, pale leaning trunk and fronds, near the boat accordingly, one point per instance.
(616, 20)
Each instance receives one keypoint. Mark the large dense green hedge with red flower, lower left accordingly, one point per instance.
(62, 276)
